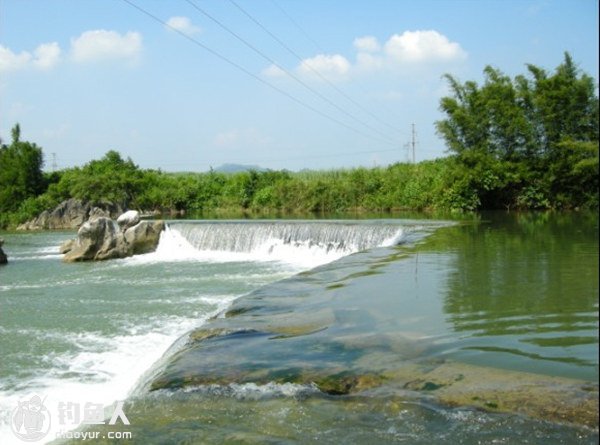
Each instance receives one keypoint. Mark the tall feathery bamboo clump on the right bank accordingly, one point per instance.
(527, 142)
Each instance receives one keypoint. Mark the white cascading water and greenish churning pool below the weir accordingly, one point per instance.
(198, 269)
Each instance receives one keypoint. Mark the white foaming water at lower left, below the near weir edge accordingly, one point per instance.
(104, 371)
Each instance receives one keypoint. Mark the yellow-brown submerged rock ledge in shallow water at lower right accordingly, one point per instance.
(556, 399)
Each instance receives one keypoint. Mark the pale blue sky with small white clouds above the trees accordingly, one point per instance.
(331, 84)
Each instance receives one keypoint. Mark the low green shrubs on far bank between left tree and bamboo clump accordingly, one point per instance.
(398, 186)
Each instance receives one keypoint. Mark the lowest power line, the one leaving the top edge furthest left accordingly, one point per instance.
(247, 72)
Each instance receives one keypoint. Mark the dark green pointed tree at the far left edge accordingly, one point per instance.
(21, 174)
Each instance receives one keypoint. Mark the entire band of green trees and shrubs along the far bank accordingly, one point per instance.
(528, 142)
